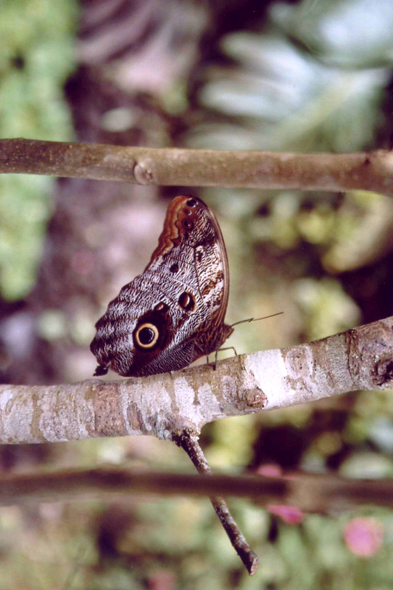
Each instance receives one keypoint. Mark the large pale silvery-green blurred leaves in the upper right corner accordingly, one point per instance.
(306, 83)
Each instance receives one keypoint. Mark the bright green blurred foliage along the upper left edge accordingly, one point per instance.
(36, 56)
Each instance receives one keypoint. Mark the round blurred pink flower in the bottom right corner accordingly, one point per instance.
(363, 536)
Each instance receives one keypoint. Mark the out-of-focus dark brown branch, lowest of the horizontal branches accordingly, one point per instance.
(310, 493)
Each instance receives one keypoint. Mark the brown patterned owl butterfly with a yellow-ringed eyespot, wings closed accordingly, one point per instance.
(173, 313)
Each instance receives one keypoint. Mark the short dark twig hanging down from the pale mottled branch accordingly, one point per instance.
(190, 443)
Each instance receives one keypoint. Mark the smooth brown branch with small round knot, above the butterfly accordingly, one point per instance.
(371, 171)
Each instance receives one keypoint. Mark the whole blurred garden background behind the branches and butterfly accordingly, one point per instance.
(308, 75)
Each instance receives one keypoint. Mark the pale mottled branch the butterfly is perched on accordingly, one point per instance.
(165, 405)
